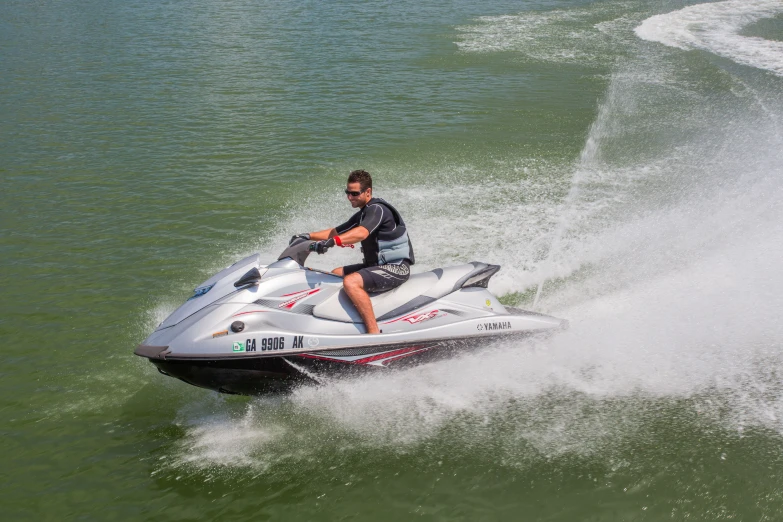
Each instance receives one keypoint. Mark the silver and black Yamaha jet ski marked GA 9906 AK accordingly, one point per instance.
(255, 328)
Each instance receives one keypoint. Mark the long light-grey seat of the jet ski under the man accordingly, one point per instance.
(417, 291)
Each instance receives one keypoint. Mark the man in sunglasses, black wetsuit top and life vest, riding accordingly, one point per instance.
(388, 253)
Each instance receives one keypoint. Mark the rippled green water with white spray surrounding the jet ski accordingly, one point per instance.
(145, 145)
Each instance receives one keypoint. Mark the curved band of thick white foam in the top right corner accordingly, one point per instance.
(714, 27)
